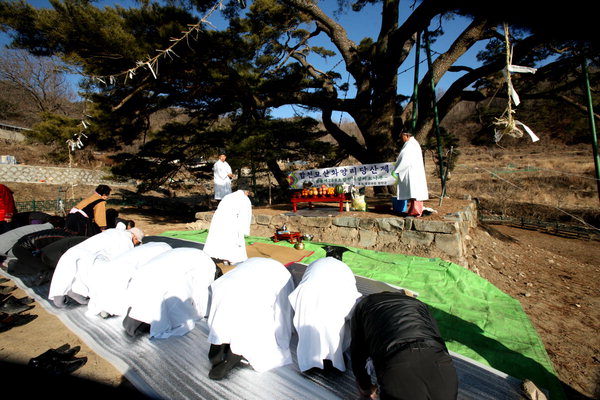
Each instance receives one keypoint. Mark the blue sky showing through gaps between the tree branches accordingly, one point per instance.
(358, 25)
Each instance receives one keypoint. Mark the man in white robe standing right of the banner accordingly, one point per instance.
(410, 171)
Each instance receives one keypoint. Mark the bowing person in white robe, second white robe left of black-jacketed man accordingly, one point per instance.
(250, 314)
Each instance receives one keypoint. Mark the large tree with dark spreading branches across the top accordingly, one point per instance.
(263, 61)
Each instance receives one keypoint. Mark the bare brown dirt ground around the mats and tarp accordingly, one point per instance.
(554, 278)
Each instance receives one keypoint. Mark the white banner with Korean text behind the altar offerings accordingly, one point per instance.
(380, 174)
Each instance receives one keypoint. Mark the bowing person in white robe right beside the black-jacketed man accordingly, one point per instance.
(322, 303)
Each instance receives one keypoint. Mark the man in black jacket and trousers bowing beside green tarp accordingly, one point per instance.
(402, 339)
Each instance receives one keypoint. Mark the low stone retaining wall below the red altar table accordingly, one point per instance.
(423, 237)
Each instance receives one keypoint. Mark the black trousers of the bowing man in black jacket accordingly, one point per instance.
(418, 372)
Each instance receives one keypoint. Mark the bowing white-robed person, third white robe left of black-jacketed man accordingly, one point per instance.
(170, 292)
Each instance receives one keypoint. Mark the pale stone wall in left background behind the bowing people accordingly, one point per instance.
(53, 175)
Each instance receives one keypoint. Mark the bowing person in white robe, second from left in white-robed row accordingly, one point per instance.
(110, 279)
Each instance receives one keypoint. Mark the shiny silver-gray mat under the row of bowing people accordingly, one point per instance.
(177, 368)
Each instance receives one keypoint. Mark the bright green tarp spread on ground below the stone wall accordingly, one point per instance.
(476, 319)
